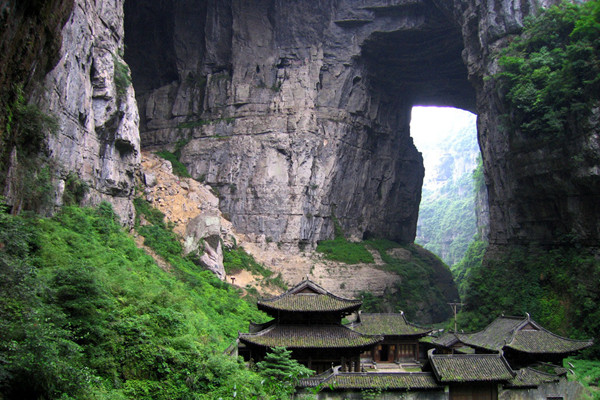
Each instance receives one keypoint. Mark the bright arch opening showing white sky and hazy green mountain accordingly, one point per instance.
(447, 138)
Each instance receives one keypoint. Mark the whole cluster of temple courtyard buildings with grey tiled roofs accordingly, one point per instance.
(511, 359)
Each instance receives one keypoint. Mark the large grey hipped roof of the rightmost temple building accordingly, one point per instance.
(522, 334)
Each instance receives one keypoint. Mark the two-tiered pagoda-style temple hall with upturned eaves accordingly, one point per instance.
(307, 319)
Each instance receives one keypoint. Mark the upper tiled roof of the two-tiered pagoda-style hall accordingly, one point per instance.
(308, 296)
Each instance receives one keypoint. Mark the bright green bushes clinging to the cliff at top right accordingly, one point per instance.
(550, 74)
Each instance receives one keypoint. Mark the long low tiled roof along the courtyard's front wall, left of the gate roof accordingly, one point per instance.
(387, 381)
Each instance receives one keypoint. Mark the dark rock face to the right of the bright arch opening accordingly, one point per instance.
(542, 193)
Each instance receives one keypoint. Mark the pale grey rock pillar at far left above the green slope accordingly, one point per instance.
(87, 89)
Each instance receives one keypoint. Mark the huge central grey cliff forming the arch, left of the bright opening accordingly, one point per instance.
(297, 113)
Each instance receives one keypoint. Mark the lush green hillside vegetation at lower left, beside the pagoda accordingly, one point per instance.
(86, 314)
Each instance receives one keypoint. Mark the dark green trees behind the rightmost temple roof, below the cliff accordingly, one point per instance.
(558, 287)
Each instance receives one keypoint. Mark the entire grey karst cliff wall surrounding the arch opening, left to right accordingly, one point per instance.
(298, 111)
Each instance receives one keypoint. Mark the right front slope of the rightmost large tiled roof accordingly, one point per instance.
(543, 341)
